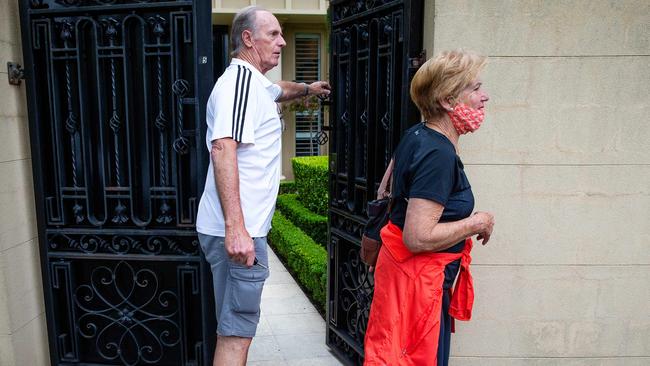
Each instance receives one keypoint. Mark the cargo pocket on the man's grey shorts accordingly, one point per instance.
(247, 286)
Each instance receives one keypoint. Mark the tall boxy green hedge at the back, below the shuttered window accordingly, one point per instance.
(311, 175)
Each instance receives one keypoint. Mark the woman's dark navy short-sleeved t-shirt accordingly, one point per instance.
(426, 166)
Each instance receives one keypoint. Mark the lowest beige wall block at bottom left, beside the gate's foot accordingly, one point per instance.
(30, 344)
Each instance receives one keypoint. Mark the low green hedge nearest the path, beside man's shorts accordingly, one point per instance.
(306, 260)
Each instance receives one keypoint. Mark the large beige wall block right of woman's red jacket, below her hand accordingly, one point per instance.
(557, 311)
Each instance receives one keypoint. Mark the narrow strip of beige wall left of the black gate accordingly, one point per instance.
(23, 337)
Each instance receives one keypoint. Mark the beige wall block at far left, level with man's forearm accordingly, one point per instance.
(17, 216)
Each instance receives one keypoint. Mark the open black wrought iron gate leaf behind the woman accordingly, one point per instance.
(376, 48)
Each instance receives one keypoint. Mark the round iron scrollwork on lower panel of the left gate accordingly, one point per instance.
(128, 315)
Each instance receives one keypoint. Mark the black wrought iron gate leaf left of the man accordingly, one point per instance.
(116, 95)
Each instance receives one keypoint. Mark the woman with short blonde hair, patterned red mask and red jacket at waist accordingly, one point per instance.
(427, 240)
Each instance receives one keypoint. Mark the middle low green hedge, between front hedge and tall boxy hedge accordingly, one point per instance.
(313, 224)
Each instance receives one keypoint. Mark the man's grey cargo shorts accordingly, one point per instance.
(237, 288)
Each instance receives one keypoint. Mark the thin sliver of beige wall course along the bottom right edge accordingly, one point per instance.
(591, 361)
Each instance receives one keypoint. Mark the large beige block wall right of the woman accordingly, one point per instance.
(563, 160)
